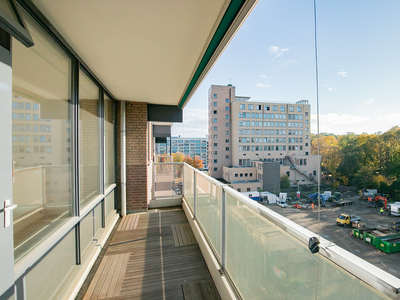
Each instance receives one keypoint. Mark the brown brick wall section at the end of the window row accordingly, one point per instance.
(136, 156)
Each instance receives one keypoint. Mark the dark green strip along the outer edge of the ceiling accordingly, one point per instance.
(229, 16)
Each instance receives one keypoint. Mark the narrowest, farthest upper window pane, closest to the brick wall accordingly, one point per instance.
(109, 123)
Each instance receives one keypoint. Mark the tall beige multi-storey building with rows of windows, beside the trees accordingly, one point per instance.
(242, 131)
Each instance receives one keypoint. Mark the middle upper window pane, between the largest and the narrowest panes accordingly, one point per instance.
(89, 133)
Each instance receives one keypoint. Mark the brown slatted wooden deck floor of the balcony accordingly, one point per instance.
(152, 256)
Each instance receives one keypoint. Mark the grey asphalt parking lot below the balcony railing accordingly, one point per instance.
(341, 235)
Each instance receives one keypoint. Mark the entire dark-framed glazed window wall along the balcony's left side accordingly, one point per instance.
(64, 135)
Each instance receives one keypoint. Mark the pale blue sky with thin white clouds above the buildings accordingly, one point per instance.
(272, 58)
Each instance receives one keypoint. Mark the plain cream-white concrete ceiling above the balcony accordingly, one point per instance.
(142, 50)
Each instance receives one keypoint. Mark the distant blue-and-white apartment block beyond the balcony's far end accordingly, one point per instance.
(187, 146)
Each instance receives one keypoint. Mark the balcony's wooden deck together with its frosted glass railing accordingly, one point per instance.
(251, 252)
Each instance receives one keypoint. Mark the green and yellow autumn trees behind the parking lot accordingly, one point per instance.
(364, 160)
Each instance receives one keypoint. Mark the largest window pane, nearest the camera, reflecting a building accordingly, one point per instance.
(43, 185)
